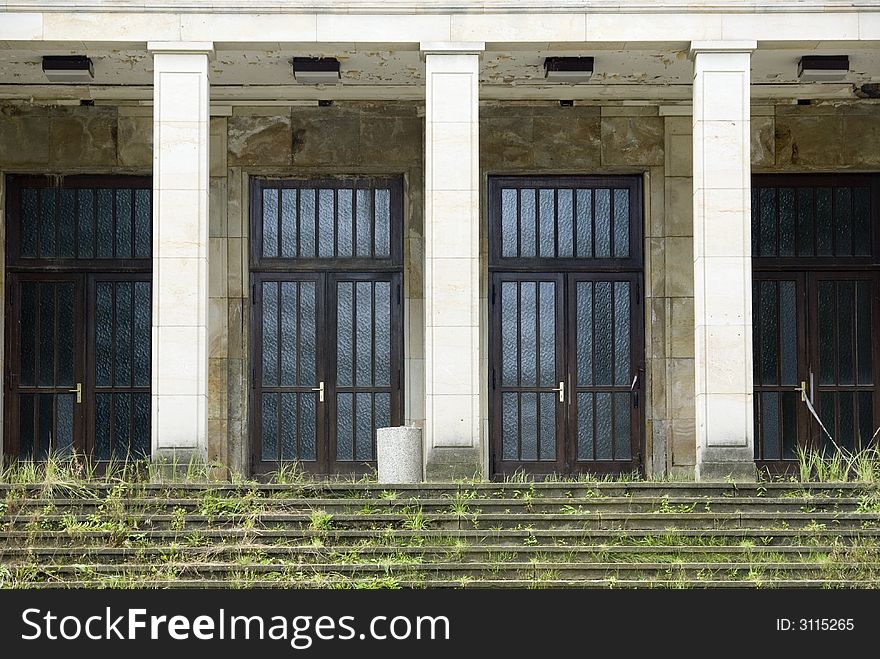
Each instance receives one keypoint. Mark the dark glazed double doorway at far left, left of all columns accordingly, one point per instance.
(78, 317)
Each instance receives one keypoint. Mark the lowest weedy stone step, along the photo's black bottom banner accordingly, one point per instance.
(445, 583)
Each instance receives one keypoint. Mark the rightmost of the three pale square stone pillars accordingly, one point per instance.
(722, 261)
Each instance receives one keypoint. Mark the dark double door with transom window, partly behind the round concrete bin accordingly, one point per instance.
(326, 318)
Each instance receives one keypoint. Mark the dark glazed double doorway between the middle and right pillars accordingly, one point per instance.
(566, 328)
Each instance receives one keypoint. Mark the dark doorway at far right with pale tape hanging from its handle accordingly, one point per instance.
(816, 292)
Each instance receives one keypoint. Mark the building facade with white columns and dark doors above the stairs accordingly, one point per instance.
(653, 270)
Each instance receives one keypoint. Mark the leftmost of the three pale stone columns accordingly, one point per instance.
(180, 250)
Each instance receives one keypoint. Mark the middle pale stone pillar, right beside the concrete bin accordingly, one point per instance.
(452, 261)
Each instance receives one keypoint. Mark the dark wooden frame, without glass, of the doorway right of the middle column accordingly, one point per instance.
(569, 270)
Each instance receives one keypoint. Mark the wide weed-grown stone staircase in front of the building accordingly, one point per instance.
(365, 535)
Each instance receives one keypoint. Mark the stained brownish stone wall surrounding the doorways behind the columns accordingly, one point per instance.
(387, 138)
